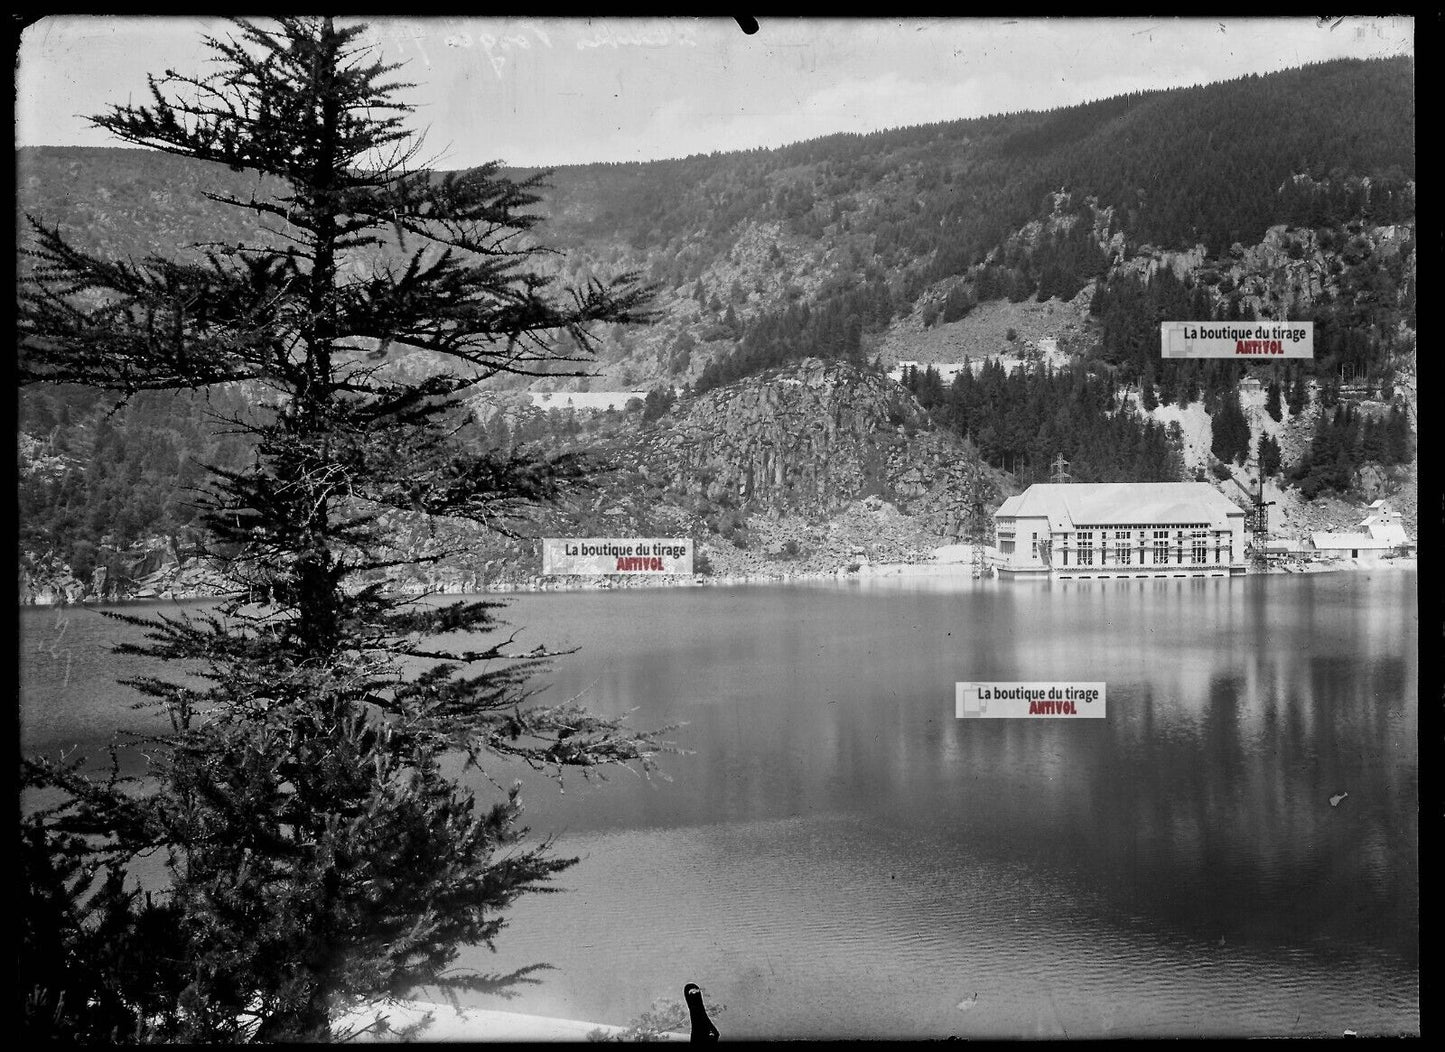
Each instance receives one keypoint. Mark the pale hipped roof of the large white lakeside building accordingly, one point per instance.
(1082, 505)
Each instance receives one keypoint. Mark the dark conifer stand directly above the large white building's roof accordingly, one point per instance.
(1022, 421)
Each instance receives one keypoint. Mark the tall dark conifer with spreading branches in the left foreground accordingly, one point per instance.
(320, 848)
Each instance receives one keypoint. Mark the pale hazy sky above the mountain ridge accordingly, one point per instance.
(554, 92)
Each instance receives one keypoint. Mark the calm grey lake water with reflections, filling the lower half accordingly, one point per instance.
(839, 855)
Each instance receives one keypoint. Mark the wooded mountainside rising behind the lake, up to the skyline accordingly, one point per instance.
(1285, 196)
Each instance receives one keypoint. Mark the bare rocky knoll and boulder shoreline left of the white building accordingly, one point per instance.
(800, 470)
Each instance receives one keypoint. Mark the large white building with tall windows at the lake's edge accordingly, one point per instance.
(1121, 530)
